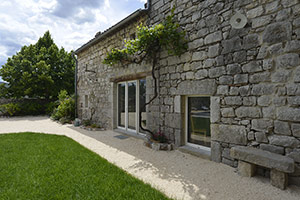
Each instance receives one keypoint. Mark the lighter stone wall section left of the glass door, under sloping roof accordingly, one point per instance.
(94, 78)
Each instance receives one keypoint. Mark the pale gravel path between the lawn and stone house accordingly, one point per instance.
(178, 175)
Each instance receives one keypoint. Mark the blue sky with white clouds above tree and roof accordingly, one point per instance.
(70, 22)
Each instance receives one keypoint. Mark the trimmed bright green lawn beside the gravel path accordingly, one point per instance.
(39, 166)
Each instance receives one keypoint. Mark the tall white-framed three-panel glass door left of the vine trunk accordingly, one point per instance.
(129, 101)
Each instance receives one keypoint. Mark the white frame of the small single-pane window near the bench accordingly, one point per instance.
(187, 123)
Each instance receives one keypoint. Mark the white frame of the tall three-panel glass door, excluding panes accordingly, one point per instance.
(137, 122)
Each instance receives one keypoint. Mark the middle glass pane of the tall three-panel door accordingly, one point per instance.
(132, 105)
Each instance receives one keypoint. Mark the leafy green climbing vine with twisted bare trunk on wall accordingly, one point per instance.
(148, 44)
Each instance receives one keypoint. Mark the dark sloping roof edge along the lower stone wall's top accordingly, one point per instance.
(115, 27)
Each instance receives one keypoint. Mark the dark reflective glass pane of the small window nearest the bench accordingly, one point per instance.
(199, 120)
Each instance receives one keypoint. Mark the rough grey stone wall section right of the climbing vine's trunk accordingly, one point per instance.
(251, 74)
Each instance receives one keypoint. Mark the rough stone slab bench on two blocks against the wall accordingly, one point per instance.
(249, 157)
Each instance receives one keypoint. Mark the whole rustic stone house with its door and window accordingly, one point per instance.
(235, 86)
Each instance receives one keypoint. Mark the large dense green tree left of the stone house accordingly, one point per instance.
(39, 70)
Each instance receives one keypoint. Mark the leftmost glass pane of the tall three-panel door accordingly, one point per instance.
(121, 104)
